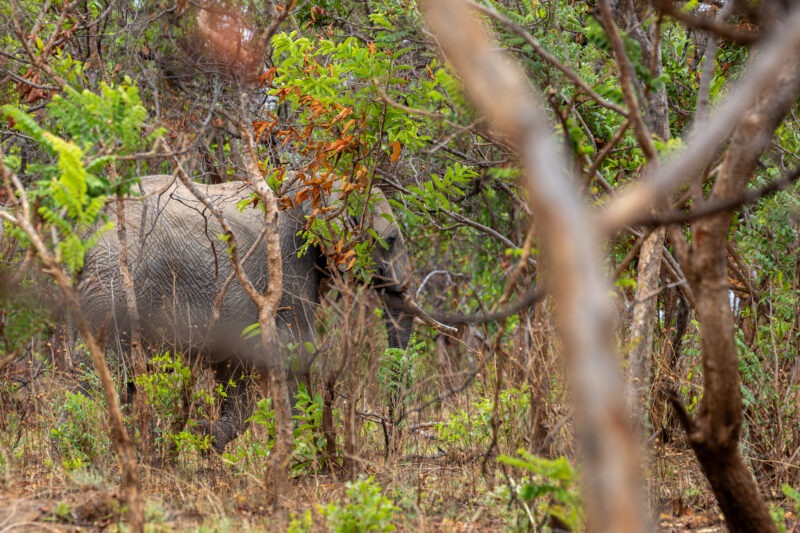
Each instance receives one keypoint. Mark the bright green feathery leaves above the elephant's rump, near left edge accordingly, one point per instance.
(94, 130)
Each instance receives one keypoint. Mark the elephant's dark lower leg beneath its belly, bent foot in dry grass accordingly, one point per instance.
(236, 408)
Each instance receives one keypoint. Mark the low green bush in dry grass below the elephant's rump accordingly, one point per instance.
(81, 439)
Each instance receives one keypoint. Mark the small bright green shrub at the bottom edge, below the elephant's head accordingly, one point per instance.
(365, 508)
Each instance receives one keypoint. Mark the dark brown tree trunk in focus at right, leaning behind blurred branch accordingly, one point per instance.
(714, 434)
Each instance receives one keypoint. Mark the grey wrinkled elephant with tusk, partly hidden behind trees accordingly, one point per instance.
(179, 266)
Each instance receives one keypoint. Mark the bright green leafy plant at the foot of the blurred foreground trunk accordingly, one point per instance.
(549, 493)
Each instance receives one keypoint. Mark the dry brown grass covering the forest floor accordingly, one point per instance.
(441, 479)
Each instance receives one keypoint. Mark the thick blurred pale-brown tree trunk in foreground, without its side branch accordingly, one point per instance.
(500, 91)
